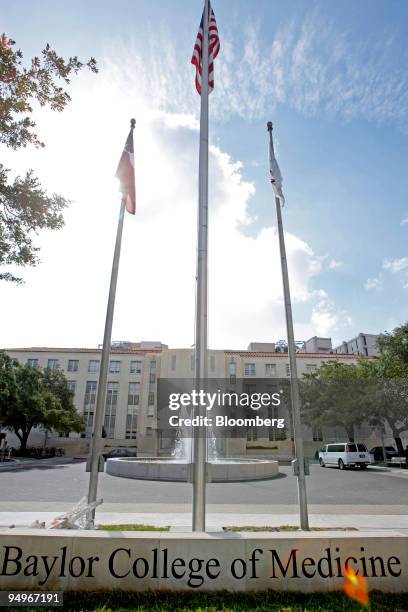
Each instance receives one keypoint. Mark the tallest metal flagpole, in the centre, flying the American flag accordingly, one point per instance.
(200, 437)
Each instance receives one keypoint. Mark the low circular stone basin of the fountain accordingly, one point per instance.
(220, 470)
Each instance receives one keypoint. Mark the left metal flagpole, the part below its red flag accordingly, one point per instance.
(96, 441)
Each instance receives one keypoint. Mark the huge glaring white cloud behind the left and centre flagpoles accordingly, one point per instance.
(64, 299)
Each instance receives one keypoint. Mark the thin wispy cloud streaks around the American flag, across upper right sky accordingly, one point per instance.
(313, 66)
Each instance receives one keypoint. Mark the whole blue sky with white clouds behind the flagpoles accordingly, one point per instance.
(330, 75)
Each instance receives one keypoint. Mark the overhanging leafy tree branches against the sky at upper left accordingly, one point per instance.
(25, 207)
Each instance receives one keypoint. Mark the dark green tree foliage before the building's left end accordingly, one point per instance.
(35, 397)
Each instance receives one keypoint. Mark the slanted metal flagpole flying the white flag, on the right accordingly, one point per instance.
(297, 425)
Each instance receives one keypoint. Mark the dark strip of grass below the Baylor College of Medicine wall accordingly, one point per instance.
(273, 601)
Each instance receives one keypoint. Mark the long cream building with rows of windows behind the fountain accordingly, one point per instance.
(131, 395)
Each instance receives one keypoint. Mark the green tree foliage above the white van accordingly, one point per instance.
(372, 390)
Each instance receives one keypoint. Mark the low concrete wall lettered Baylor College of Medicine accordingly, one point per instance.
(305, 561)
